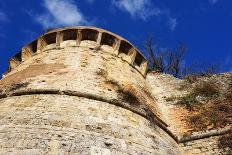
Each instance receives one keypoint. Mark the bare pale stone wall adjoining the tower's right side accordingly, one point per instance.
(164, 86)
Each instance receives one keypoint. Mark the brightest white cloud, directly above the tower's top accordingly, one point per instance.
(61, 13)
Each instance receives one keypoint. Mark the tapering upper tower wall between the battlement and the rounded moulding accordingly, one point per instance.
(82, 70)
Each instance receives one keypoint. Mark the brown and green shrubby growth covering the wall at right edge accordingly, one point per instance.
(209, 107)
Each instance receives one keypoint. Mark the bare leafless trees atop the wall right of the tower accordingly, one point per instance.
(171, 61)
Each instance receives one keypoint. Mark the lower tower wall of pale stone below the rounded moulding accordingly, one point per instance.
(42, 124)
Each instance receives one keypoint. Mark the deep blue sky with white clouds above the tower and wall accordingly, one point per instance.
(204, 26)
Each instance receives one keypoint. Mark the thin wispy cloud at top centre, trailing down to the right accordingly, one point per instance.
(143, 9)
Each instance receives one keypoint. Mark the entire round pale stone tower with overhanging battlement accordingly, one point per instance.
(80, 90)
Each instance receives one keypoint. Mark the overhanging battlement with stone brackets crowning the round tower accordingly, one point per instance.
(90, 37)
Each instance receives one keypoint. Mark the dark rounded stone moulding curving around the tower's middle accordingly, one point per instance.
(143, 110)
